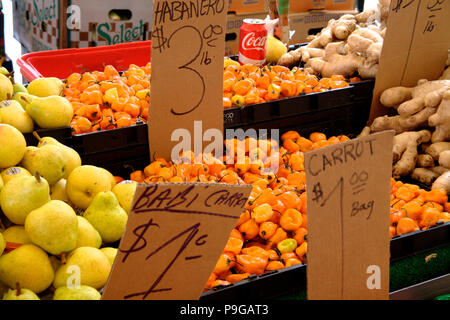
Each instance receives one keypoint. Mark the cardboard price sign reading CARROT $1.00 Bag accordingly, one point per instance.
(348, 219)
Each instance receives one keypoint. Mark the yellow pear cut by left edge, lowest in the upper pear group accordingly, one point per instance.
(13, 114)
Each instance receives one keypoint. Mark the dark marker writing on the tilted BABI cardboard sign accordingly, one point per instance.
(159, 198)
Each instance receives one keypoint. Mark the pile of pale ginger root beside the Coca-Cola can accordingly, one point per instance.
(347, 46)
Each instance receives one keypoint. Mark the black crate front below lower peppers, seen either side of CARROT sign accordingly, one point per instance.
(279, 282)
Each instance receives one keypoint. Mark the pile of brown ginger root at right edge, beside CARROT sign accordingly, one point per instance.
(422, 127)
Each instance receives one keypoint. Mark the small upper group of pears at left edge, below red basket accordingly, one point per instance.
(40, 105)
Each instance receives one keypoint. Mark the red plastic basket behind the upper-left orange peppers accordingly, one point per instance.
(64, 62)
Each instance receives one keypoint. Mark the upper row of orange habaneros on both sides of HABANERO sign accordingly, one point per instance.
(104, 100)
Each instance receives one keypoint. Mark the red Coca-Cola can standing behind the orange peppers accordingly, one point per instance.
(252, 42)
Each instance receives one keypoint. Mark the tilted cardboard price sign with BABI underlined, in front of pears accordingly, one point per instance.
(175, 234)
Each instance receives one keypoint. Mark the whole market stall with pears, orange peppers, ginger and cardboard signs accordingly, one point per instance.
(125, 167)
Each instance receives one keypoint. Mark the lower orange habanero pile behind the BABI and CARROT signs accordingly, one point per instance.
(271, 232)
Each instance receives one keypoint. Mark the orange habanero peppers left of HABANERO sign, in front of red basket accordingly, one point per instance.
(108, 100)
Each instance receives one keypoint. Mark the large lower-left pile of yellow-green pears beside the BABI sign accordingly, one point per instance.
(60, 220)
